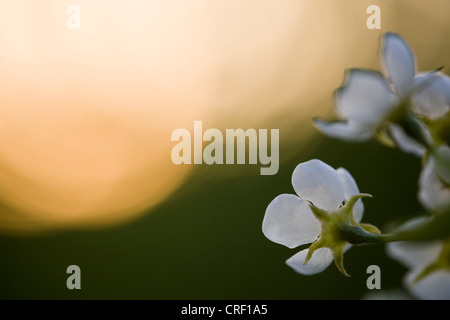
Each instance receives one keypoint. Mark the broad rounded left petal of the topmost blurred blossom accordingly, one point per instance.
(365, 97)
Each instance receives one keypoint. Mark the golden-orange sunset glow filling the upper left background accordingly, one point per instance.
(86, 115)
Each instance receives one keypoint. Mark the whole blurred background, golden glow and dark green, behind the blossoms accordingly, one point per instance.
(86, 117)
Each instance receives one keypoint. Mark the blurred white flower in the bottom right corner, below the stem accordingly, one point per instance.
(426, 279)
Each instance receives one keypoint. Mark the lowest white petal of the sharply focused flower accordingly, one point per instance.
(320, 260)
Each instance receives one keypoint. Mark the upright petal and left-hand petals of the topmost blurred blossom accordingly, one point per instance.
(367, 97)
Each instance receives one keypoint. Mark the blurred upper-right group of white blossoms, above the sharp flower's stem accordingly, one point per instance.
(402, 108)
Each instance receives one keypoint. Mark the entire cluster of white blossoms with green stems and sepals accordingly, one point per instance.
(402, 108)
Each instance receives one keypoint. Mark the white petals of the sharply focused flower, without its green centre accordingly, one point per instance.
(290, 221)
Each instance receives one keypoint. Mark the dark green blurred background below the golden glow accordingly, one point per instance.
(206, 242)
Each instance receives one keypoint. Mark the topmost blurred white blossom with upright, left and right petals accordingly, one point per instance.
(368, 98)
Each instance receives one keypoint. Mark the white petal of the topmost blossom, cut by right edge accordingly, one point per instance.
(433, 95)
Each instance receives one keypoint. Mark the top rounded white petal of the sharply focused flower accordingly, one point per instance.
(317, 182)
